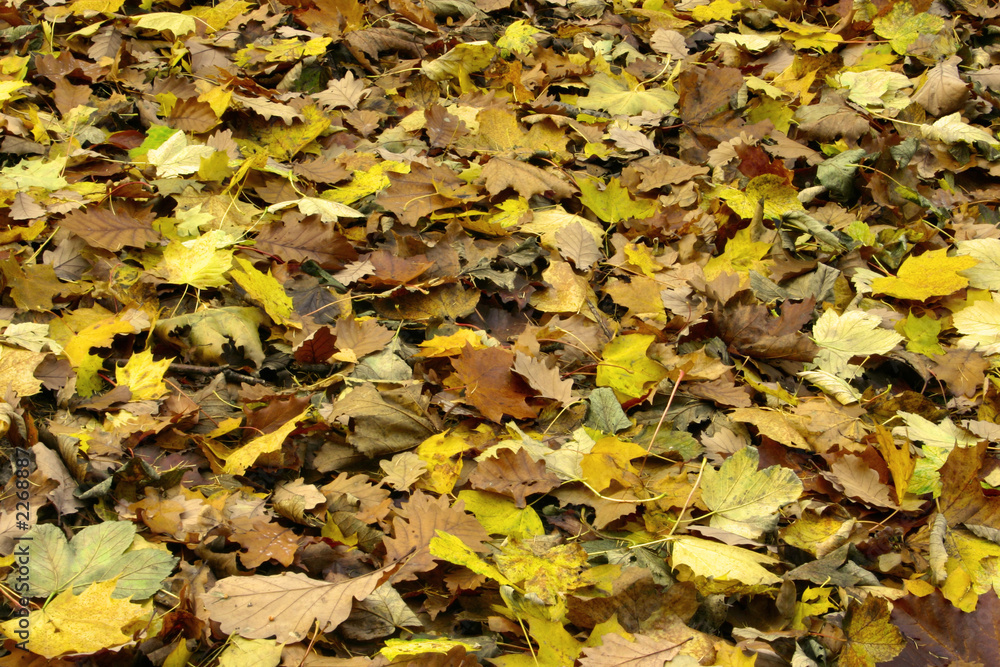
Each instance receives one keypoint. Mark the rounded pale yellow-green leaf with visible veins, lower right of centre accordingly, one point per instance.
(746, 500)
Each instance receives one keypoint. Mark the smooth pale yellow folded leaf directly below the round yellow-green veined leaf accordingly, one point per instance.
(722, 561)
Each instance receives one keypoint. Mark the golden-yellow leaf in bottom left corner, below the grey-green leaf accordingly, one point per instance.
(84, 623)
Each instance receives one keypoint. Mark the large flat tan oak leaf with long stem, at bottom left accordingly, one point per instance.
(285, 606)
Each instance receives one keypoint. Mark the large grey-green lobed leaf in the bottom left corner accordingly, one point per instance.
(97, 553)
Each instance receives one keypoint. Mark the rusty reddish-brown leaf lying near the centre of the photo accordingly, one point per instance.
(490, 385)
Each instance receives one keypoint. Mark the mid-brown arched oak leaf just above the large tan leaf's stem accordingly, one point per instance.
(415, 526)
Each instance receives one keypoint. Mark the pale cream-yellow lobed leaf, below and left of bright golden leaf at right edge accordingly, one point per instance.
(855, 333)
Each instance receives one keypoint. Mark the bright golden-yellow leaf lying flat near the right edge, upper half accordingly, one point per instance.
(931, 274)
